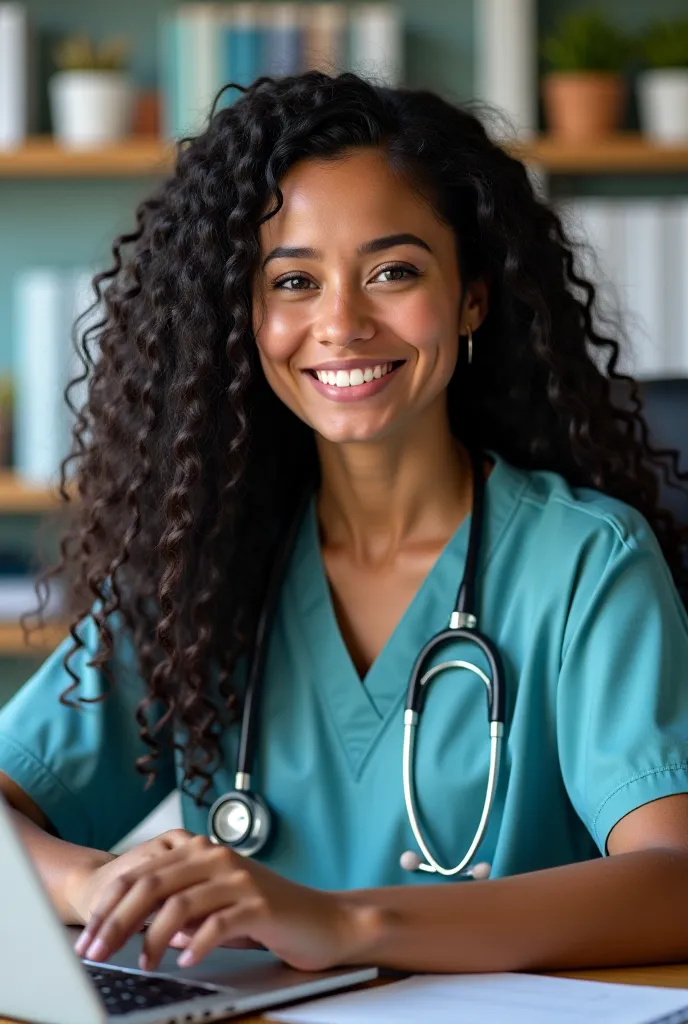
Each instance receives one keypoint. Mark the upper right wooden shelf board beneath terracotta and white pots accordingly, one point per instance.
(624, 154)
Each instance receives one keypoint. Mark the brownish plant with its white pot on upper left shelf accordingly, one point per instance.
(92, 96)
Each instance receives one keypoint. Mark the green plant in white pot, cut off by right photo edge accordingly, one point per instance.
(663, 87)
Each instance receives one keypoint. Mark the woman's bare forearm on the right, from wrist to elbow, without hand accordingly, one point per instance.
(629, 909)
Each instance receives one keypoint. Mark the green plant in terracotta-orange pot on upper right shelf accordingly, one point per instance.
(584, 91)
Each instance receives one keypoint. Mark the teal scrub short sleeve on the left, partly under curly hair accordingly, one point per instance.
(78, 764)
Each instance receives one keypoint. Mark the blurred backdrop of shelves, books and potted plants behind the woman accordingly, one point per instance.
(93, 94)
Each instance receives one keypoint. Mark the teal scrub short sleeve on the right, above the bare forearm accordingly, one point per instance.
(623, 691)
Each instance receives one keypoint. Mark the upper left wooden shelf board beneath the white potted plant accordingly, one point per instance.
(42, 158)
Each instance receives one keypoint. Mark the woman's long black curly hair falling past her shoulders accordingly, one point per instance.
(185, 463)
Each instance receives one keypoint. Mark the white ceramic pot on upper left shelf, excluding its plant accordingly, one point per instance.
(91, 108)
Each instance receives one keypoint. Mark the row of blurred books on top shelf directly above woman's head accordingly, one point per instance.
(204, 47)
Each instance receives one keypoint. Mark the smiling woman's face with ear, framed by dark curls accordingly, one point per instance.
(357, 303)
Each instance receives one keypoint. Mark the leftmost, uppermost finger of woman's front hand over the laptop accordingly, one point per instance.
(127, 904)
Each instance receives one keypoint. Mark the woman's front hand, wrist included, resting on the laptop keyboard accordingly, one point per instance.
(202, 897)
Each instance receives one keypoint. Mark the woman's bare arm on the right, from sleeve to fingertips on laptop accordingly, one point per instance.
(627, 909)
